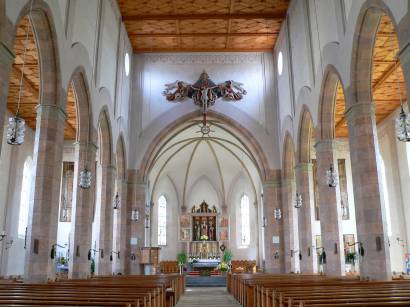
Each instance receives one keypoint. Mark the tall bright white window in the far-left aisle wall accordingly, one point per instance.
(25, 198)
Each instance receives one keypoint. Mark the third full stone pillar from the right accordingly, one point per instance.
(304, 186)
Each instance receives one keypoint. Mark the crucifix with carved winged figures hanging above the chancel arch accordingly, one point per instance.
(204, 92)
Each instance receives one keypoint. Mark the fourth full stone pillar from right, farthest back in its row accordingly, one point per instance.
(289, 220)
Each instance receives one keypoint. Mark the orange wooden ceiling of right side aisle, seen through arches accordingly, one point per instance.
(387, 78)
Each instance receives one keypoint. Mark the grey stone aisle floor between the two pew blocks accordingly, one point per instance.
(207, 297)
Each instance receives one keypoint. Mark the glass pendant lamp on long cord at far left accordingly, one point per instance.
(17, 126)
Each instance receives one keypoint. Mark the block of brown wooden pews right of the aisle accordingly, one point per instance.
(273, 290)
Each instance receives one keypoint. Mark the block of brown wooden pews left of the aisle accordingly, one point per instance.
(125, 291)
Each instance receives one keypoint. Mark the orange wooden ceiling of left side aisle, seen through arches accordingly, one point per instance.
(31, 81)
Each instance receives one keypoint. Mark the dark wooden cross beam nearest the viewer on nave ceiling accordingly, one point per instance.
(276, 16)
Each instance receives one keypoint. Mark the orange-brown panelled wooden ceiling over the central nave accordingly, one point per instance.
(203, 25)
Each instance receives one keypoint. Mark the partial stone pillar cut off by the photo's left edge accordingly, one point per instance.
(6, 62)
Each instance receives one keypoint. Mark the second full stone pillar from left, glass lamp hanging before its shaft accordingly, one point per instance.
(82, 212)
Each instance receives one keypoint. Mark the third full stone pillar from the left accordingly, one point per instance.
(104, 265)
